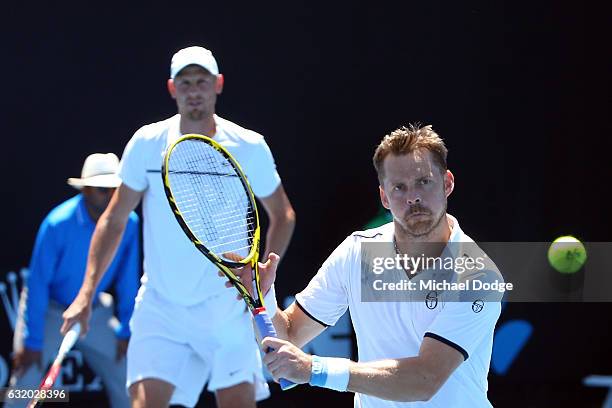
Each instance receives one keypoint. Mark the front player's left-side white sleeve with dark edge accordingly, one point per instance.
(325, 299)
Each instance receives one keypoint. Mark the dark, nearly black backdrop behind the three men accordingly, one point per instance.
(520, 91)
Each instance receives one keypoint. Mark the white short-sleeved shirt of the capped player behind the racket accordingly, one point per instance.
(172, 264)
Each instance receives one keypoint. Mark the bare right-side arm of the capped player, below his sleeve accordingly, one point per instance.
(281, 222)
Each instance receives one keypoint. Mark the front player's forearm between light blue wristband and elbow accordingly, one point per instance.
(406, 379)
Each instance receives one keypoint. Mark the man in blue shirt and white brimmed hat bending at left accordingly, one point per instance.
(56, 273)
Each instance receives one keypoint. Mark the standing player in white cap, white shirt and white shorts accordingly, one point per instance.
(188, 329)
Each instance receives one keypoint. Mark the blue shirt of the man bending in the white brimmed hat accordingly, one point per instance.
(58, 266)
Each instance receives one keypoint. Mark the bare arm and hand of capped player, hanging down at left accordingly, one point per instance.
(105, 240)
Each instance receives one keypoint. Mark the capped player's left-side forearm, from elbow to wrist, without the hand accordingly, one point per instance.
(104, 243)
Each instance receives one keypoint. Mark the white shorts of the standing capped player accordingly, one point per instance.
(188, 346)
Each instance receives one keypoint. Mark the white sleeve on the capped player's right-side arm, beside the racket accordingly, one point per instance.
(263, 177)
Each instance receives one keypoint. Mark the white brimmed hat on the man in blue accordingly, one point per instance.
(99, 170)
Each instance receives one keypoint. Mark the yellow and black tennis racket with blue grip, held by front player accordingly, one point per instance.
(215, 206)
